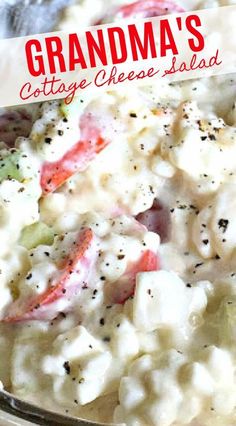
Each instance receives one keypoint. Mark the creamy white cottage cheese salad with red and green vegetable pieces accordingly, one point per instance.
(117, 248)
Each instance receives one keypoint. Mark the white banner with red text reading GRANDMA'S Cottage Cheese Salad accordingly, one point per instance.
(176, 47)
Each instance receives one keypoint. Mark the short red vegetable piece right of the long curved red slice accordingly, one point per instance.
(125, 287)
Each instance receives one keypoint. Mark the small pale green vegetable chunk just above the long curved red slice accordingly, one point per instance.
(36, 234)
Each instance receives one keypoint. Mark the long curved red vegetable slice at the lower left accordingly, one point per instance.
(74, 272)
